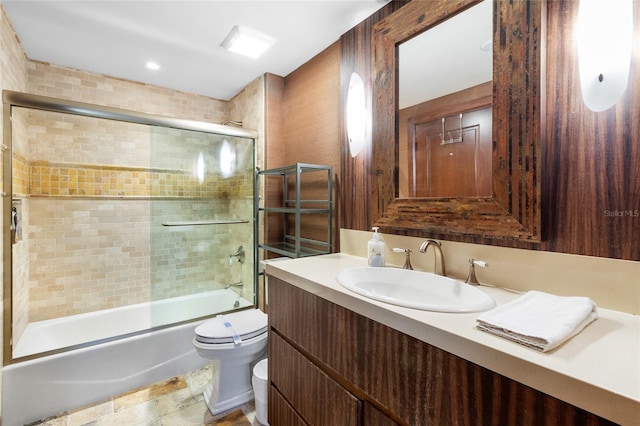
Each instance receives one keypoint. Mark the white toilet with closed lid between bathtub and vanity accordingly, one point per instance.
(238, 341)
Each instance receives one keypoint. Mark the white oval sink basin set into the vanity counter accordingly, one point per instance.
(415, 289)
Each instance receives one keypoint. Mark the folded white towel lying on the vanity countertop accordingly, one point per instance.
(539, 320)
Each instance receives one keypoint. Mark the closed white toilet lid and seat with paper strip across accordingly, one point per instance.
(232, 328)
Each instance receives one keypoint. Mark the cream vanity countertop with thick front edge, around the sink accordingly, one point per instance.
(597, 370)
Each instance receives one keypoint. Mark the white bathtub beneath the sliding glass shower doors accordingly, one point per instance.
(42, 387)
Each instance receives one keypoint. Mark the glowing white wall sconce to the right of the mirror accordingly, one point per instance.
(604, 35)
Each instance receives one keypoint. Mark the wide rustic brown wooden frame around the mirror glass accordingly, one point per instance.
(511, 214)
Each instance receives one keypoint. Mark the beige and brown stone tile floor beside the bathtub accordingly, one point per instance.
(174, 402)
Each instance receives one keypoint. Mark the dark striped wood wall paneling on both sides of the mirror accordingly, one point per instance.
(591, 179)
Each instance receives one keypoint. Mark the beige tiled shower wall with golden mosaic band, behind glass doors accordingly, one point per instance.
(98, 192)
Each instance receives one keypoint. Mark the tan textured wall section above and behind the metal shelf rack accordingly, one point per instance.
(305, 109)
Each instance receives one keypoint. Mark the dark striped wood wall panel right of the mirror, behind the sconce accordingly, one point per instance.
(592, 203)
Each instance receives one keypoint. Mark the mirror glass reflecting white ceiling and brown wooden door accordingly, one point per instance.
(444, 97)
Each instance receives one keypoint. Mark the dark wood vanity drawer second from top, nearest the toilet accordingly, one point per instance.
(318, 399)
